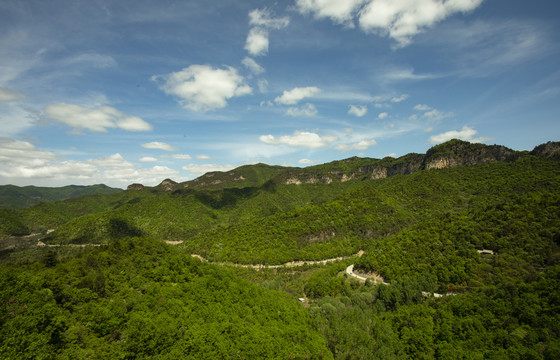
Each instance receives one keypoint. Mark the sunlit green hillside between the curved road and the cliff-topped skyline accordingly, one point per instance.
(339, 196)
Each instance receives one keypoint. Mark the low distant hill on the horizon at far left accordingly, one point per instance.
(16, 197)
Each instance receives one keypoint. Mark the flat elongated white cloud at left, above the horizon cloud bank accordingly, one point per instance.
(95, 119)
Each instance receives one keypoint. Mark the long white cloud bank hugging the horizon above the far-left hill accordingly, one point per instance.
(22, 162)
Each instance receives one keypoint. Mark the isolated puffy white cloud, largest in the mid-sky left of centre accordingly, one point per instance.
(202, 88)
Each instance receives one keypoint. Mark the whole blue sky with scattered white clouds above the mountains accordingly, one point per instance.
(122, 92)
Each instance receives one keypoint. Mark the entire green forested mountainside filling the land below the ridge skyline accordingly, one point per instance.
(468, 254)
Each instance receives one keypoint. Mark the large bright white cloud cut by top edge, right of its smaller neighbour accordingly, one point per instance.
(402, 19)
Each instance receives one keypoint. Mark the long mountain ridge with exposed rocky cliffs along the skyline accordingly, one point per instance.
(452, 153)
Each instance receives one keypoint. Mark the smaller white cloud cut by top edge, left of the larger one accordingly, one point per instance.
(339, 11)
